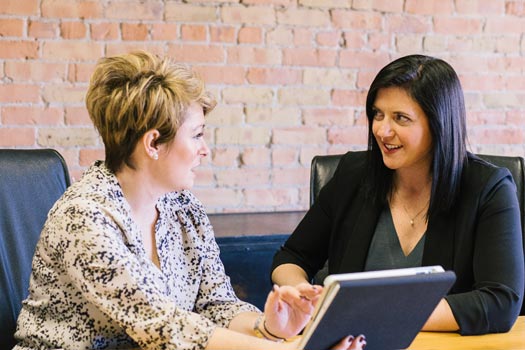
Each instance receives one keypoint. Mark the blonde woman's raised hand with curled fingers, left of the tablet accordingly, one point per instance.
(288, 309)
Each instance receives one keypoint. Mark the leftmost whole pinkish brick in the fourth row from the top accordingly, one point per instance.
(35, 71)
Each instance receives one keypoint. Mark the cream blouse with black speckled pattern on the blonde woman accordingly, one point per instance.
(93, 286)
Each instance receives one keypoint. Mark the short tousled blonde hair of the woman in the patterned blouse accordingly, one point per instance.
(136, 92)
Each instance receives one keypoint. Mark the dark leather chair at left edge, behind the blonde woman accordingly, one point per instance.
(30, 183)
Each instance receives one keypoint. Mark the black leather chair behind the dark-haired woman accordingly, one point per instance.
(323, 168)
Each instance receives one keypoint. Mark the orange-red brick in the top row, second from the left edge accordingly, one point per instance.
(72, 9)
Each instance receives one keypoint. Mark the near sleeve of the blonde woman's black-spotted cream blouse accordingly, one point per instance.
(101, 266)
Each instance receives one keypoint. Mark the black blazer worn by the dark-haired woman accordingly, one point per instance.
(480, 241)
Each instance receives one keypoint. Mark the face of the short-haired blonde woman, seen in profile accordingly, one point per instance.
(184, 154)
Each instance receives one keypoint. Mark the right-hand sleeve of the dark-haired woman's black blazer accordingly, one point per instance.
(494, 301)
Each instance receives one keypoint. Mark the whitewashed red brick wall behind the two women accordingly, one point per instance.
(290, 76)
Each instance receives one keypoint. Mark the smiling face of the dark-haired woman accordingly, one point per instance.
(401, 130)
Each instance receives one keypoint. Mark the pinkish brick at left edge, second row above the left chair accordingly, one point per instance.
(24, 115)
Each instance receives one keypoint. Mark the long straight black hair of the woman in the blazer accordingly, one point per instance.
(435, 86)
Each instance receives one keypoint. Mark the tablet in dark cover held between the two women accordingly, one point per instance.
(389, 307)
